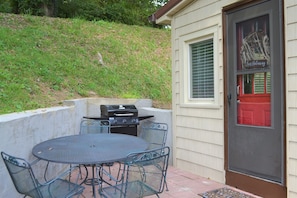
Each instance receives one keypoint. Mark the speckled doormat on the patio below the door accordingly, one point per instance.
(224, 193)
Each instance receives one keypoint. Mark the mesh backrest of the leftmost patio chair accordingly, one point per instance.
(22, 175)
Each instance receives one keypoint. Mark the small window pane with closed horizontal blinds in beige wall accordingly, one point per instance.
(202, 69)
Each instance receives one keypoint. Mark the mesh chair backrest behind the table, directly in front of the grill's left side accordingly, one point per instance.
(94, 126)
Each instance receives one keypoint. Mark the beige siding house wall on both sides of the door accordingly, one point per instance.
(198, 129)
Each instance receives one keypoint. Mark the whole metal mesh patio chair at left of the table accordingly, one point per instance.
(26, 183)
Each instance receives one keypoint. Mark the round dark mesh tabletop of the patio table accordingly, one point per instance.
(89, 148)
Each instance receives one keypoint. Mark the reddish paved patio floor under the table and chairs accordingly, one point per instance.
(181, 184)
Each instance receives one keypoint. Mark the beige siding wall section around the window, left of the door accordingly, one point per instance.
(198, 130)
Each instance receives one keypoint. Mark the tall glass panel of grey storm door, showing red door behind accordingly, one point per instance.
(253, 72)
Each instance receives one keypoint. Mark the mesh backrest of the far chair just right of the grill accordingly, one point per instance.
(154, 133)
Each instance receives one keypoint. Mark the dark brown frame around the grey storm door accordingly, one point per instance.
(240, 181)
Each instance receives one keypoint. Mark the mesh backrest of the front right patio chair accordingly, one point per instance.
(148, 168)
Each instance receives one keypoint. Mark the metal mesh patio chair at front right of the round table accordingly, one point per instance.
(138, 180)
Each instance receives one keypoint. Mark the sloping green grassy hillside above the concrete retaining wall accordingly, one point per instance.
(44, 61)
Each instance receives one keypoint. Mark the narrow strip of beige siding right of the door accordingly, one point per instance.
(290, 13)
